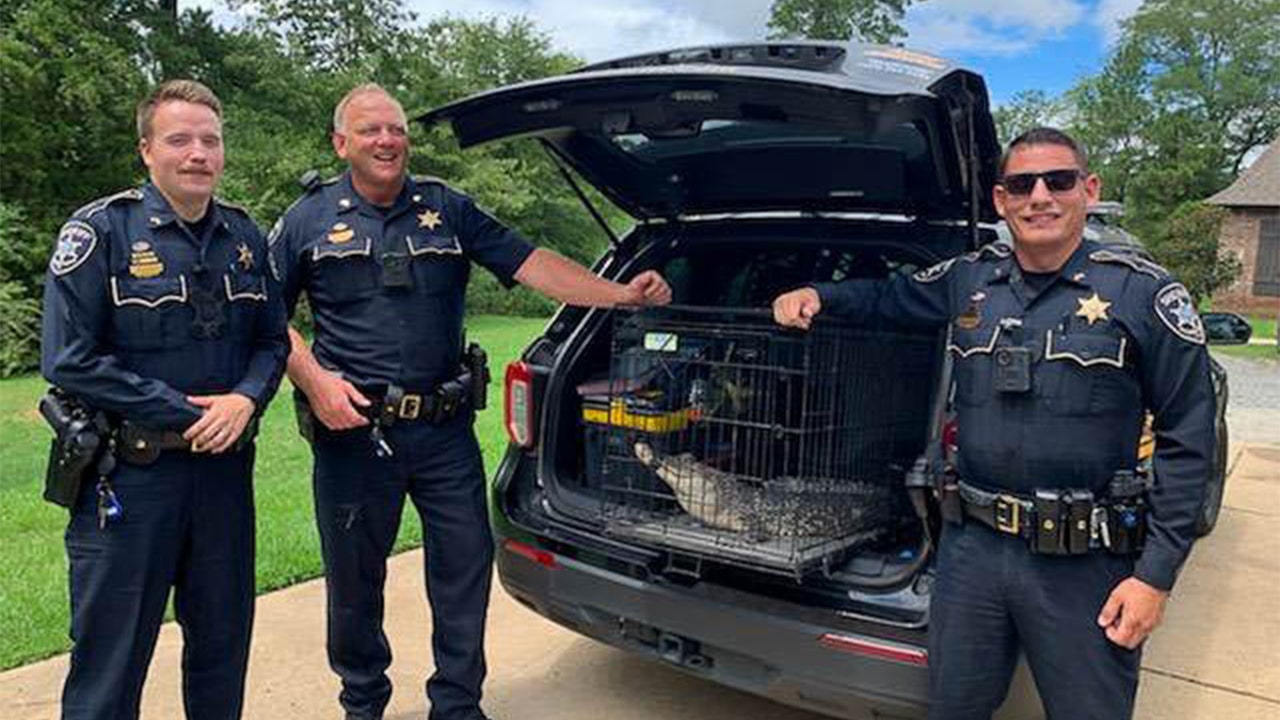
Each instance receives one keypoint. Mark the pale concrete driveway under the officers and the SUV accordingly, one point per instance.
(1215, 658)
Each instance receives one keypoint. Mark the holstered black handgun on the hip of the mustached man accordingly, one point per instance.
(81, 435)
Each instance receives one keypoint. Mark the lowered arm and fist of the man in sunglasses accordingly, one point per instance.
(1178, 391)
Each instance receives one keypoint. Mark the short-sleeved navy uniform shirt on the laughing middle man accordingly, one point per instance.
(387, 285)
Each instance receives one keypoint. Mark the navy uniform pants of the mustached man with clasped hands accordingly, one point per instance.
(188, 526)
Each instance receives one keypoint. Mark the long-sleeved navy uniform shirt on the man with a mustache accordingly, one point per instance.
(140, 313)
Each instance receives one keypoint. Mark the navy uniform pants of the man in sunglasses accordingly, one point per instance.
(994, 599)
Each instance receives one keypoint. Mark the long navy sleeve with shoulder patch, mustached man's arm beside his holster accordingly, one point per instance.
(77, 357)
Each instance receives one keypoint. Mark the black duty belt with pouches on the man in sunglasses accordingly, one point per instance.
(1062, 522)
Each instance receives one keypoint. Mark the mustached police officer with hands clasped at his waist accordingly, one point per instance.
(158, 312)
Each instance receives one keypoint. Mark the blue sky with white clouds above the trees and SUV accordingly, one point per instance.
(1016, 44)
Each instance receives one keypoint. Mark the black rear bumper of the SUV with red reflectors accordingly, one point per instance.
(734, 637)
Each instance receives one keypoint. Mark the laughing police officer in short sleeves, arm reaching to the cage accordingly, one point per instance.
(385, 259)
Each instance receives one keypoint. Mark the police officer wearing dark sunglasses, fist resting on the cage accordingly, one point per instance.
(1059, 347)
